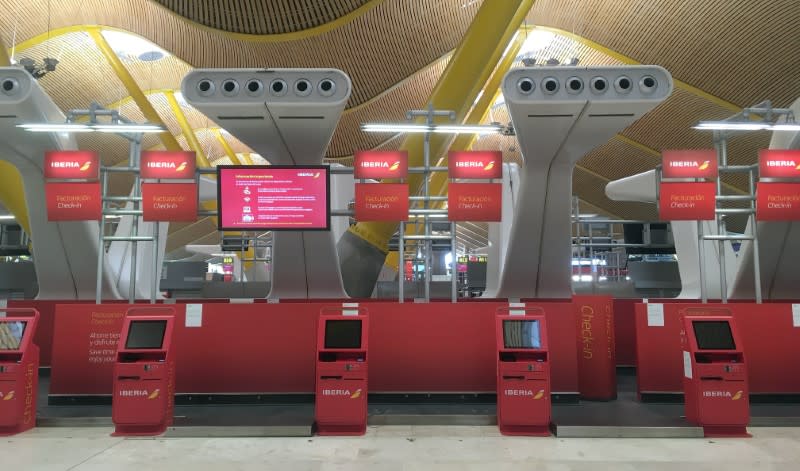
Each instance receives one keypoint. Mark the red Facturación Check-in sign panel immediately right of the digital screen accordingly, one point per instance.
(381, 202)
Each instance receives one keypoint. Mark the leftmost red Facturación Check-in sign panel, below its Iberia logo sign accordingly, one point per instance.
(73, 201)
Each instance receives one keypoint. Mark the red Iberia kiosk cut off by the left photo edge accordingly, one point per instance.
(19, 370)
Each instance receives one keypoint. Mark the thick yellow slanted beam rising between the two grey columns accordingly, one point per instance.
(466, 74)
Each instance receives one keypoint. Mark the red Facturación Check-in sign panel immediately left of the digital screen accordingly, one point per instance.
(169, 202)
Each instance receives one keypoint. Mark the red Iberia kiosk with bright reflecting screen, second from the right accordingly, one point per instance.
(523, 372)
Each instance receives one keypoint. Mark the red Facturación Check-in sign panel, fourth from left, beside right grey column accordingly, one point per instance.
(474, 201)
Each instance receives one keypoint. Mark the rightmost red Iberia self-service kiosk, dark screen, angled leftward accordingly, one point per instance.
(715, 376)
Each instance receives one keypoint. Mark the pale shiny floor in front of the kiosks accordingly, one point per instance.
(397, 448)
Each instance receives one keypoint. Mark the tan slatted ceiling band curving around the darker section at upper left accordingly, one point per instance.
(377, 49)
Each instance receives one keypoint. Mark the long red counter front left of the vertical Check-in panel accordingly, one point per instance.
(434, 347)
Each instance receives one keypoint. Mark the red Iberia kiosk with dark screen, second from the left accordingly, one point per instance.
(144, 374)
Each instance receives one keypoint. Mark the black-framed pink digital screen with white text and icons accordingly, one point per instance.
(272, 197)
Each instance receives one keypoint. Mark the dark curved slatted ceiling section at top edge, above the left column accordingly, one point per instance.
(262, 16)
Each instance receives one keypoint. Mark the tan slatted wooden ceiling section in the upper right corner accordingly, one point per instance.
(743, 51)
